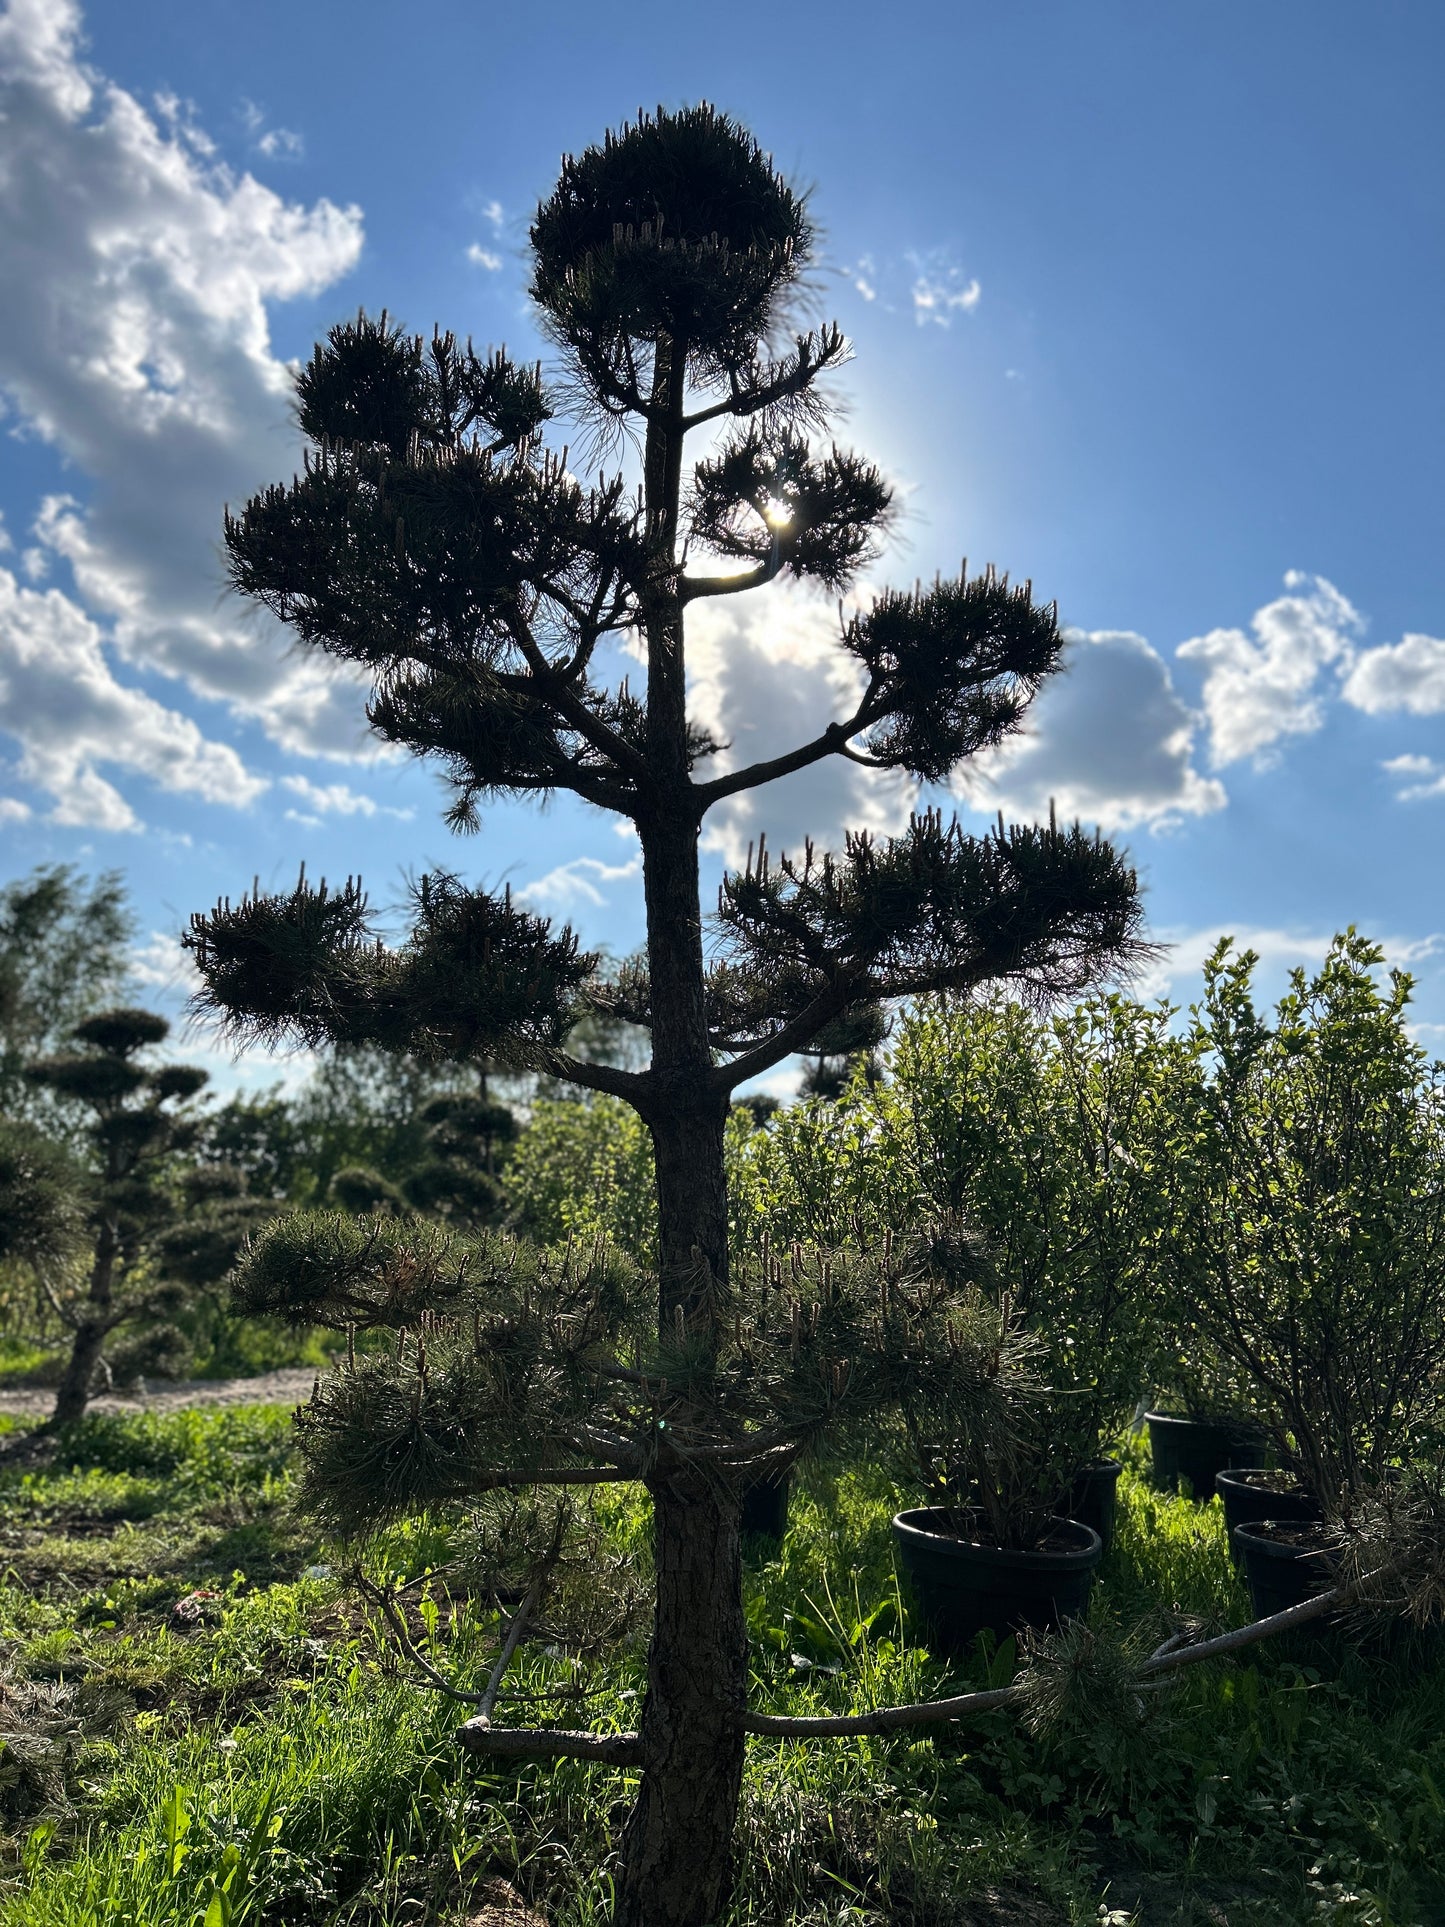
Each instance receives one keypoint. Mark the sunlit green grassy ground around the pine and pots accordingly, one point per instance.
(205, 1724)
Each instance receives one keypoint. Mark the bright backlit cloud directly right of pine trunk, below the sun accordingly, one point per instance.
(766, 675)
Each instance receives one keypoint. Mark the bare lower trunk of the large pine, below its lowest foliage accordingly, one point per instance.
(677, 1851)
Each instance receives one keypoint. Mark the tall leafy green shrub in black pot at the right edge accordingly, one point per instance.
(1309, 1240)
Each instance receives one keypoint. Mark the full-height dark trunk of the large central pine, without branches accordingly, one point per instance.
(679, 1839)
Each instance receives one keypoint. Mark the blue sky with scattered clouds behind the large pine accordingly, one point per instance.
(1145, 305)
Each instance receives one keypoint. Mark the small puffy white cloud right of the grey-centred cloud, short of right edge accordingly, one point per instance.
(1263, 689)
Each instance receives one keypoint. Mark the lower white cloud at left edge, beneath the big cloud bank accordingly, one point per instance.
(70, 716)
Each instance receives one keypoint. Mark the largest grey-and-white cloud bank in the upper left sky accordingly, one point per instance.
(134, 338)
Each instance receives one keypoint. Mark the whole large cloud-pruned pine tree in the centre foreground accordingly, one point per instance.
(442, 542)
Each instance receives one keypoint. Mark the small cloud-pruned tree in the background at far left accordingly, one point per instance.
(138, 1124)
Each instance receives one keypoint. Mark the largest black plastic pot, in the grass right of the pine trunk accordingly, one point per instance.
(964, 1587)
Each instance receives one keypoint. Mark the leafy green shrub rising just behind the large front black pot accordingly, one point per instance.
(1047, 1136)
